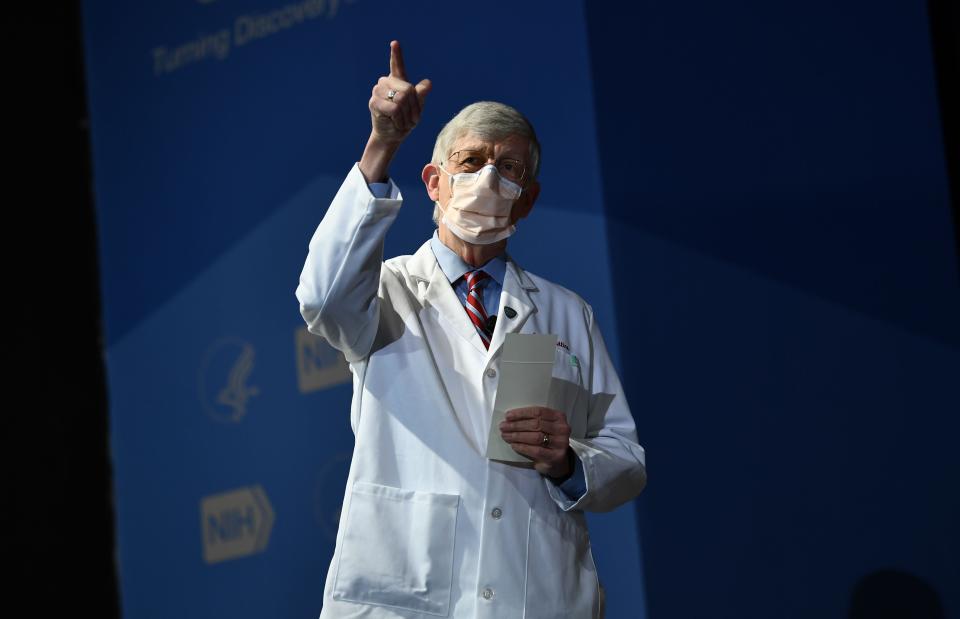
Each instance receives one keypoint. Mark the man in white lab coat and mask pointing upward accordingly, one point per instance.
(429, 526)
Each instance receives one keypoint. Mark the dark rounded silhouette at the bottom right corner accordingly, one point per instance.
(892, 594)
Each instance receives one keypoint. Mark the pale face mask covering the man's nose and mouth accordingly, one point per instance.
(479, 208)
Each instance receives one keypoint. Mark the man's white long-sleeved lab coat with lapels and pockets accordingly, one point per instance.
(429, 527)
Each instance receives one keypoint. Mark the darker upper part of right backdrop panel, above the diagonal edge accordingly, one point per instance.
(798, 142)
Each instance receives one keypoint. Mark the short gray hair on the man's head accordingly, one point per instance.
(487, 120)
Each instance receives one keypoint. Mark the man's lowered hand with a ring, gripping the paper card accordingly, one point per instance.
(524, 429)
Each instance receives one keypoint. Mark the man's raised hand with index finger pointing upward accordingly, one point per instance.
(396, 104)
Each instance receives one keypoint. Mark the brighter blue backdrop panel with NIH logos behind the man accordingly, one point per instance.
(221, 130)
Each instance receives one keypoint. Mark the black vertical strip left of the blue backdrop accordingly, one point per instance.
(60, 540)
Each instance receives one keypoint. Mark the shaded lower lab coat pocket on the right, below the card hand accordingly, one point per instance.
(561, 575)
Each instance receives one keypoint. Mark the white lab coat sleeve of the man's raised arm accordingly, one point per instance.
(341, 276)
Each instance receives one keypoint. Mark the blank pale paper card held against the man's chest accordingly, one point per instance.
(526, 368)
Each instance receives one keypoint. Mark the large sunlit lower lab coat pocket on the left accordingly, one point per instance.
(397, 549)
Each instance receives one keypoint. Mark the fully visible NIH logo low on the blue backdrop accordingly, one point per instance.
(235, 524)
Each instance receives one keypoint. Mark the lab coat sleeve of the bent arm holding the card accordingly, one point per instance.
(613, 461)
